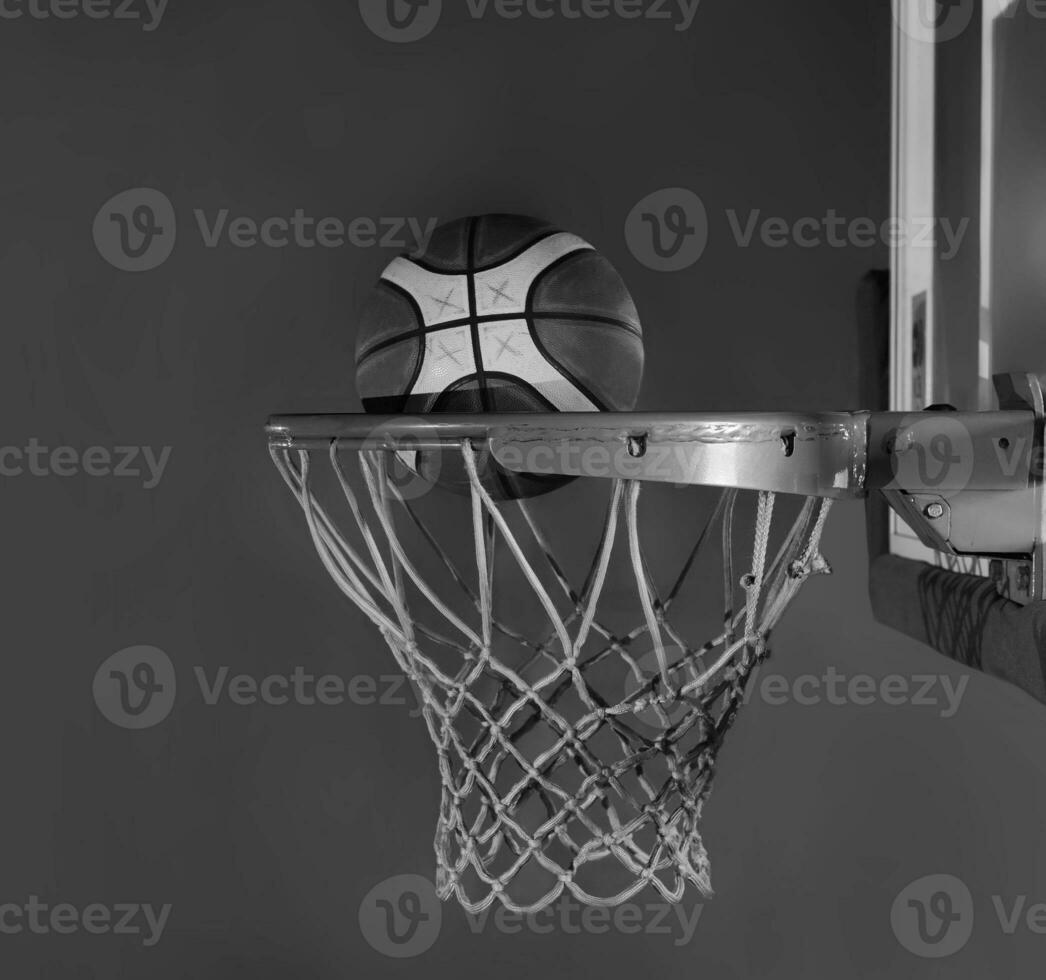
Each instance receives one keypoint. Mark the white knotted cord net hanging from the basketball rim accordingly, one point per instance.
(575, 755)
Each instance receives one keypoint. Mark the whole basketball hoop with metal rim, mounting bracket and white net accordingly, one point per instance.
(566, 766)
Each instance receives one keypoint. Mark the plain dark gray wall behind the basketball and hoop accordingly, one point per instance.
(266, 827)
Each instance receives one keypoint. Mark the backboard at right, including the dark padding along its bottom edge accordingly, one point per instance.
(967, 303)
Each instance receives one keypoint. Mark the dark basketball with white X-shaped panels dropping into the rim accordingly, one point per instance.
(498, 314)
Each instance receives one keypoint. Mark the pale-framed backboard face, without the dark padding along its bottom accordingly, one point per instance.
(968, 289)
